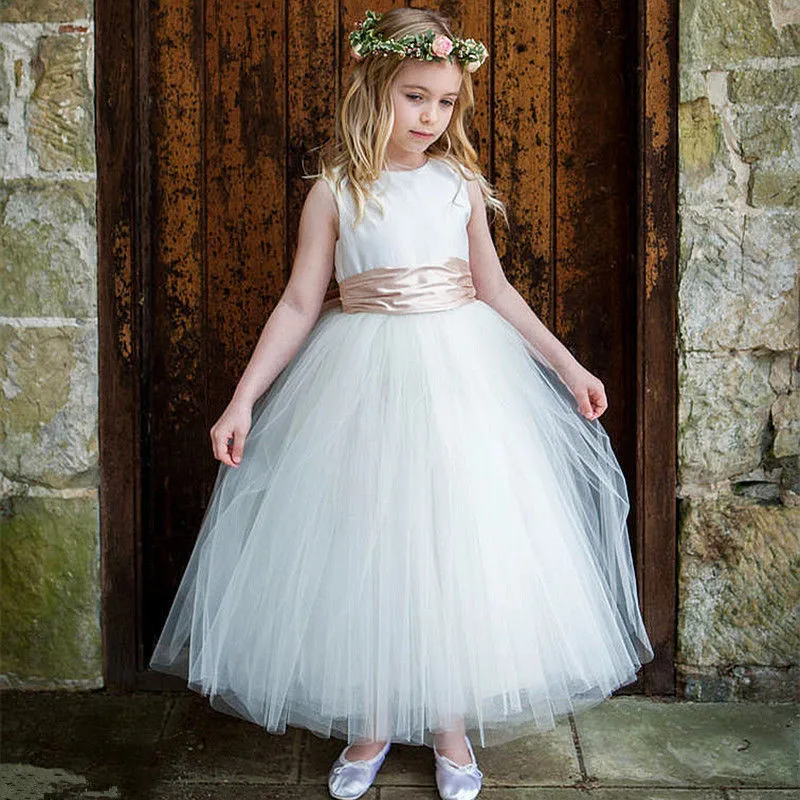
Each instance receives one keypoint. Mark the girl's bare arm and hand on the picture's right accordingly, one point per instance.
(494, 289)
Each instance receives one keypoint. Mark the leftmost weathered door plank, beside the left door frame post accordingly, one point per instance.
(174, 380)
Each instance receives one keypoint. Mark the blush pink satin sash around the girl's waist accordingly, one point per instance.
(407, 290)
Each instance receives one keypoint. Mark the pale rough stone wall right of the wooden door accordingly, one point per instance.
(739, 385)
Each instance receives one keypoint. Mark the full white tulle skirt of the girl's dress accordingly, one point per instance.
(423, 529)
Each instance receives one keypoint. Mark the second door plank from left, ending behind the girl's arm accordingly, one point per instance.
(245, 182)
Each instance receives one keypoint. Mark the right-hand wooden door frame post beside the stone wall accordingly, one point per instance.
(656, 354)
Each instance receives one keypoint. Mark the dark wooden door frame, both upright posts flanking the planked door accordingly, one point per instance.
(123, 157)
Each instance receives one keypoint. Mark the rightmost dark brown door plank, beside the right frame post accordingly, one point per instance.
(594, 188)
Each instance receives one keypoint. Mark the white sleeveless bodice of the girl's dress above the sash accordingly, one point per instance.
(426, 211)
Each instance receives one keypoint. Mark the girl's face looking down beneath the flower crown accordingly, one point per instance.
(423, 95)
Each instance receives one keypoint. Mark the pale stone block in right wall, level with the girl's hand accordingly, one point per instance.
(724, 401)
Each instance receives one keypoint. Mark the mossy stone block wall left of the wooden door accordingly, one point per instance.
(49, 571)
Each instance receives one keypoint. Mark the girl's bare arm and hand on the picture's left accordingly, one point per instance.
(289, 323)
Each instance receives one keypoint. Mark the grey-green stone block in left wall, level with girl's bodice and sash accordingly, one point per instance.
(48, 258)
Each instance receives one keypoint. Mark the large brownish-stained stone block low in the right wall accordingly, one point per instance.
(739, 583)
